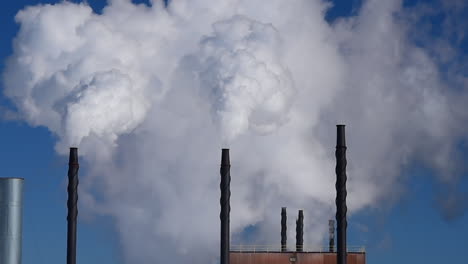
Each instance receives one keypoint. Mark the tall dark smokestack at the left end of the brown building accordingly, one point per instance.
(225, 206)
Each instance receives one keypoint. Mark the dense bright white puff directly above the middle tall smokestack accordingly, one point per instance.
(240, 69)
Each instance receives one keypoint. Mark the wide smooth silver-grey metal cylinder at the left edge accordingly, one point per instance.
(11, 217)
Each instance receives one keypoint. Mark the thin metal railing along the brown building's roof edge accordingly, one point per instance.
(305, 248)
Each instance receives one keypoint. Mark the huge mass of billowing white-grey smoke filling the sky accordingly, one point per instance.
(150, 94)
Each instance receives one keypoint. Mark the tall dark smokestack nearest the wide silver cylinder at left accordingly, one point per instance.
(72, 205)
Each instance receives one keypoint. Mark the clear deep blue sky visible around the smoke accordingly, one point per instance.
(411, 231)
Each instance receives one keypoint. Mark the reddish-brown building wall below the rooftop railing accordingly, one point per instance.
(286, 257)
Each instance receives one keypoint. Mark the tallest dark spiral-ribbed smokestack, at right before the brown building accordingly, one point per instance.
(341, 209)
